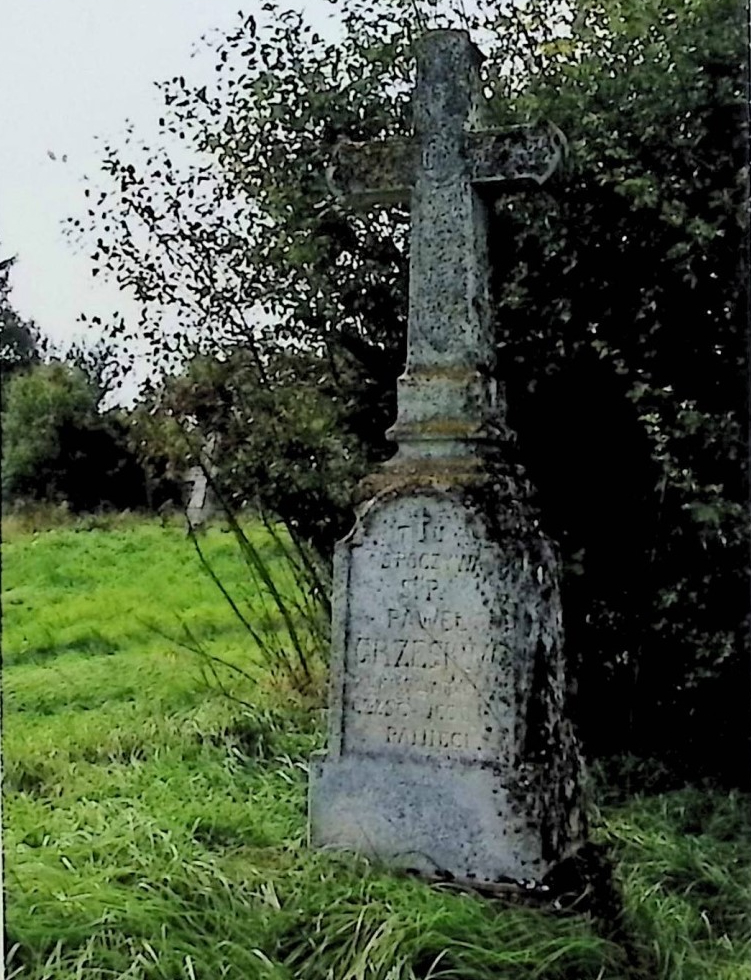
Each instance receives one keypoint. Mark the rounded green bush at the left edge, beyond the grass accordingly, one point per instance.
(57, 447)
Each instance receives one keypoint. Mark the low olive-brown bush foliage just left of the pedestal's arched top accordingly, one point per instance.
(287, 442)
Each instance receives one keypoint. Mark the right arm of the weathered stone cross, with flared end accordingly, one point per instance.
(523, 153)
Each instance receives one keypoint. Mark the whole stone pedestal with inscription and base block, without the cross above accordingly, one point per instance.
(449, 751)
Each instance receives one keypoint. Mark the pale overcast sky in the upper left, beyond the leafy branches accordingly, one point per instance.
(72, 70)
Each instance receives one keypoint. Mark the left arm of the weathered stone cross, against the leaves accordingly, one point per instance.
(373, 173)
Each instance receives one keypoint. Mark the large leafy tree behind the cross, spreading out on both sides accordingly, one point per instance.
(621, 308)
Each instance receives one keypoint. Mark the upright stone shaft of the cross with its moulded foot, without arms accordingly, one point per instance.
(447, 391)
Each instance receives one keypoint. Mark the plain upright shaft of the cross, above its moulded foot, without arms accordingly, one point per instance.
(448, 274)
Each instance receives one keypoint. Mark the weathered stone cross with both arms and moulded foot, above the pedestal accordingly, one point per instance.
(446, 172)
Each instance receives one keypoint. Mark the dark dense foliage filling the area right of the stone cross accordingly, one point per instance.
(639, 282)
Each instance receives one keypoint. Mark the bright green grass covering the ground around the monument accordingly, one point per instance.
(156, 829)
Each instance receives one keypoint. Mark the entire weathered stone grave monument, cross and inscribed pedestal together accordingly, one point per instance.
(449, 751)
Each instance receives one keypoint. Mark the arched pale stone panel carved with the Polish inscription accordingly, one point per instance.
(427, 654)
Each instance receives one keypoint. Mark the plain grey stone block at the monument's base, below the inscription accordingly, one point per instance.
(426, 816)
